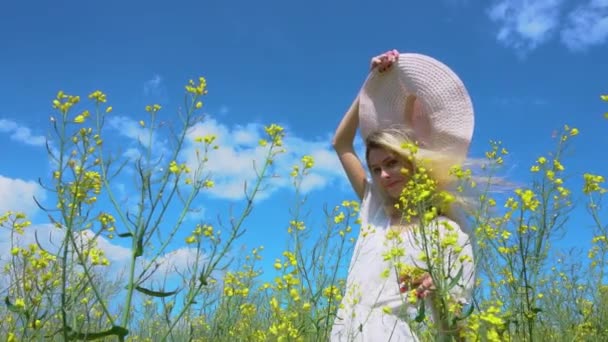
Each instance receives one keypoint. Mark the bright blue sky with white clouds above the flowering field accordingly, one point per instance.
(530, 68)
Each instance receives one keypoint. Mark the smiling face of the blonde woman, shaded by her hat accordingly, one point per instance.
(386, 171)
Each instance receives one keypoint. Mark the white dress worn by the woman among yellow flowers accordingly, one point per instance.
(362, 316)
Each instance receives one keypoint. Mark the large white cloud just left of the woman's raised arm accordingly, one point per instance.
(231, 165)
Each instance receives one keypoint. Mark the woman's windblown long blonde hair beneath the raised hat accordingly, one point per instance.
(438, 166)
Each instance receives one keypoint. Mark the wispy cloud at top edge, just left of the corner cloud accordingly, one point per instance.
(525, 24)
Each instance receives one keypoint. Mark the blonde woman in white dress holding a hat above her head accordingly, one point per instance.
(375, 306)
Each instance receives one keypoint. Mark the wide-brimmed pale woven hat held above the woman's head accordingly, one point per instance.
(440, 111)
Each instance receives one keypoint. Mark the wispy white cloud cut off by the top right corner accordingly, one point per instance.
(587, 26)
